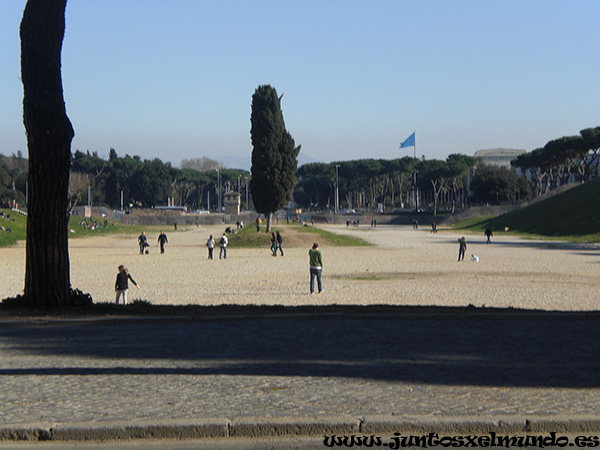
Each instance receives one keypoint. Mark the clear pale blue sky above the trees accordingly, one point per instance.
(174, 79)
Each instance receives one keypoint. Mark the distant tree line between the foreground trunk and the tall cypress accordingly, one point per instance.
(147, 183)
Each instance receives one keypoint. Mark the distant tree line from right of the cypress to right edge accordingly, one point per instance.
(367, 184)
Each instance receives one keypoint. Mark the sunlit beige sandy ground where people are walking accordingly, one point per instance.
(405, 267)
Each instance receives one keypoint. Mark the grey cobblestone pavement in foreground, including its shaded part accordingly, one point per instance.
(294, 367)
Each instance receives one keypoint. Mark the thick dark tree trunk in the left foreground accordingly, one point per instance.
(49, 135)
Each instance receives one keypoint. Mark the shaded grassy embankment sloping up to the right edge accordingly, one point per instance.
(573, 215)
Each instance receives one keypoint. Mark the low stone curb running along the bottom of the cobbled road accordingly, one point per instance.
(267, 427)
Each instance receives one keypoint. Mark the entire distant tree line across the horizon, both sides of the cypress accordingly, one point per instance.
(364, 184)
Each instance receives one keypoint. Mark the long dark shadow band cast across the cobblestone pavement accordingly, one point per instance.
(446, 346)
